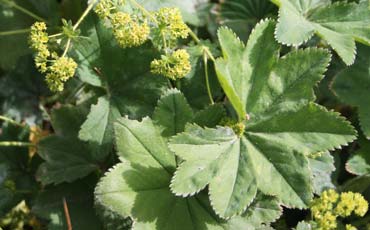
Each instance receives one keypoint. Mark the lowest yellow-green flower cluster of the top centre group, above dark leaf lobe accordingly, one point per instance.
(173, 66)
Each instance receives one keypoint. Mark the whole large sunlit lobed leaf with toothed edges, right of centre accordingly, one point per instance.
(285, 127)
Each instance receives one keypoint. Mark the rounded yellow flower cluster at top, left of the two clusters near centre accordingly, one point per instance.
(128, 30)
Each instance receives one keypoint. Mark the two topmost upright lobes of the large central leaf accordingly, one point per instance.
(240, 65)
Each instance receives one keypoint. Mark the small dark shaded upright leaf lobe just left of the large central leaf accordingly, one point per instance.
(172, 112)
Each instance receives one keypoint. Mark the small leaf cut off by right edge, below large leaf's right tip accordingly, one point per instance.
(359, 163)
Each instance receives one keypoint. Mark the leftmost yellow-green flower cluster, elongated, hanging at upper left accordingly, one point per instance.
(61, 69)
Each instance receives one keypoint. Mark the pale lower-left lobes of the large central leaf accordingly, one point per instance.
(214, 156)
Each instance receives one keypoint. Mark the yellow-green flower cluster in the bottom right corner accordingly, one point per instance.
(331, 205)
